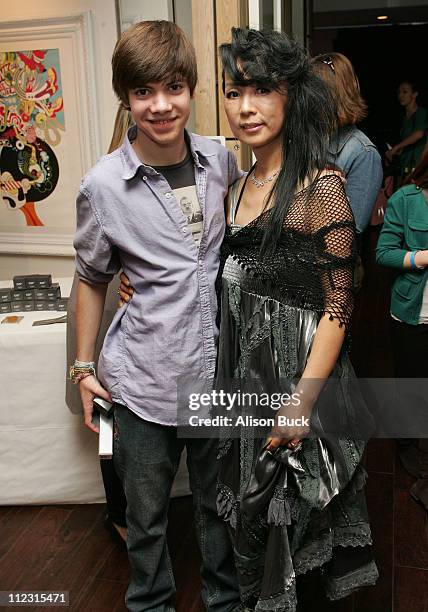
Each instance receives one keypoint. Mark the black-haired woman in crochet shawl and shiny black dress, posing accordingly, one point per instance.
(293, 503)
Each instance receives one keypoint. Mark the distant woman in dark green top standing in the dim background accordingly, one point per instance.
(413, 130)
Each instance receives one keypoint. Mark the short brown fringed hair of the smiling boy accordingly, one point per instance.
(152, 51)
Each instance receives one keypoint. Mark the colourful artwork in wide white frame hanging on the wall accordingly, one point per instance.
(49, 130)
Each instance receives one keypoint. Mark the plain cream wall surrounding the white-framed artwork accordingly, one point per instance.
(105, 35)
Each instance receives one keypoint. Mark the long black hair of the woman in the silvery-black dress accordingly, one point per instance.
(275, 61)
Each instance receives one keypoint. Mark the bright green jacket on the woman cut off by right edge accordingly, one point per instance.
(405, 229)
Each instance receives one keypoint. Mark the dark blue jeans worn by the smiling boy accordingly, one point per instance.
(146, 457)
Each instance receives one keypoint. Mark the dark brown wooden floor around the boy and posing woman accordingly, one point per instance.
(67, 547)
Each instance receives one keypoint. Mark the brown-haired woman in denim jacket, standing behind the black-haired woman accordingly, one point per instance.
(350, 149)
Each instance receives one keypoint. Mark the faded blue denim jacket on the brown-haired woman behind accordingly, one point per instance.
(356, 155)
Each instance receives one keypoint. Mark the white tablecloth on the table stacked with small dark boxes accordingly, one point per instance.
(47, 456)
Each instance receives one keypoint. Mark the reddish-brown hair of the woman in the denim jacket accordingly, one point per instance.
(337, 71)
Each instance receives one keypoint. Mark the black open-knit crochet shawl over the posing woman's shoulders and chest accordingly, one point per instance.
(312, 266)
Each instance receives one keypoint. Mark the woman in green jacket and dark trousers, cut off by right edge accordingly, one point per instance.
(403, 245)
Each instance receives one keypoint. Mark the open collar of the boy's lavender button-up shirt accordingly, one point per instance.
(132, 163)
